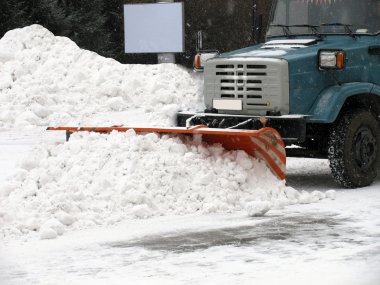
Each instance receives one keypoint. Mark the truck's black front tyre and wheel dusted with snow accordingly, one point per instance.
(354, 149)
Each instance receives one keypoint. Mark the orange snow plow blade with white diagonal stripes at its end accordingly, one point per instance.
(265, 144)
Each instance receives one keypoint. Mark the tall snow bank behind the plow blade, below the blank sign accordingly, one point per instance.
(49, 80)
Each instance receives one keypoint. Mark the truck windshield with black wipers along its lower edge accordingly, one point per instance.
(295, 17)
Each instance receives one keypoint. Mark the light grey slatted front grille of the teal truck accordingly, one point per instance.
(259, 83)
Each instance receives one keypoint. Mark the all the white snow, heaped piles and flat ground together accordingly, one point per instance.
(125, 208)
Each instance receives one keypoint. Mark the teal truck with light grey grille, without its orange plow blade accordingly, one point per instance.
(315, 79)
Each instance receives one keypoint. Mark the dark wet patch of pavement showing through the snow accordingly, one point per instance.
(311, 228)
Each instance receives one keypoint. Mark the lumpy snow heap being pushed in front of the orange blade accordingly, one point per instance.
(97, 179)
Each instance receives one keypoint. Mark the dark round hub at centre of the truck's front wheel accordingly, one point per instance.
(365, 148)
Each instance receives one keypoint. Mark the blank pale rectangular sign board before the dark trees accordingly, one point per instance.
(154, 28)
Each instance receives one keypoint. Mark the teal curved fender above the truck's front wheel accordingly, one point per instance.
(331, 100)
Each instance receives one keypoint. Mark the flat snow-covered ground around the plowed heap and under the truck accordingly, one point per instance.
(329, 242)
